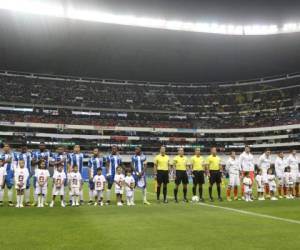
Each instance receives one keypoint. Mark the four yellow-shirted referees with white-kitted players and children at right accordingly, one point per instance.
(285, 176)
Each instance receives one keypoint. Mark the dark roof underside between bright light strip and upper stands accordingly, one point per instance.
(59, 46)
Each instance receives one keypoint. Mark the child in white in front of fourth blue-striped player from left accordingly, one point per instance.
(59, 178)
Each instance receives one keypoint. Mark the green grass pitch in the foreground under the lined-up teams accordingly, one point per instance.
(158, 226)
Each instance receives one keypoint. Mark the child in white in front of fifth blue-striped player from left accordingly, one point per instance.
(75, 185)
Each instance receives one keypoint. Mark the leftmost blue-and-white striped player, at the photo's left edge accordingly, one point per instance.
(8, 157)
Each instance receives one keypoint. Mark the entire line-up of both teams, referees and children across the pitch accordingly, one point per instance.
(242, 167)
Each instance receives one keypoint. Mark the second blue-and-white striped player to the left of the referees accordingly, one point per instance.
(113, 161)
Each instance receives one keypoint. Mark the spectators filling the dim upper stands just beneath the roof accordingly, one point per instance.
(205, 106)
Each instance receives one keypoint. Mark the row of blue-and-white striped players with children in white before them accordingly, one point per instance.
(17, 170)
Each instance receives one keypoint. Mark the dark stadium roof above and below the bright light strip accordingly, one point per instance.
(51, 45)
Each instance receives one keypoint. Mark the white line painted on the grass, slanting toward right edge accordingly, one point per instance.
(243, 211)
